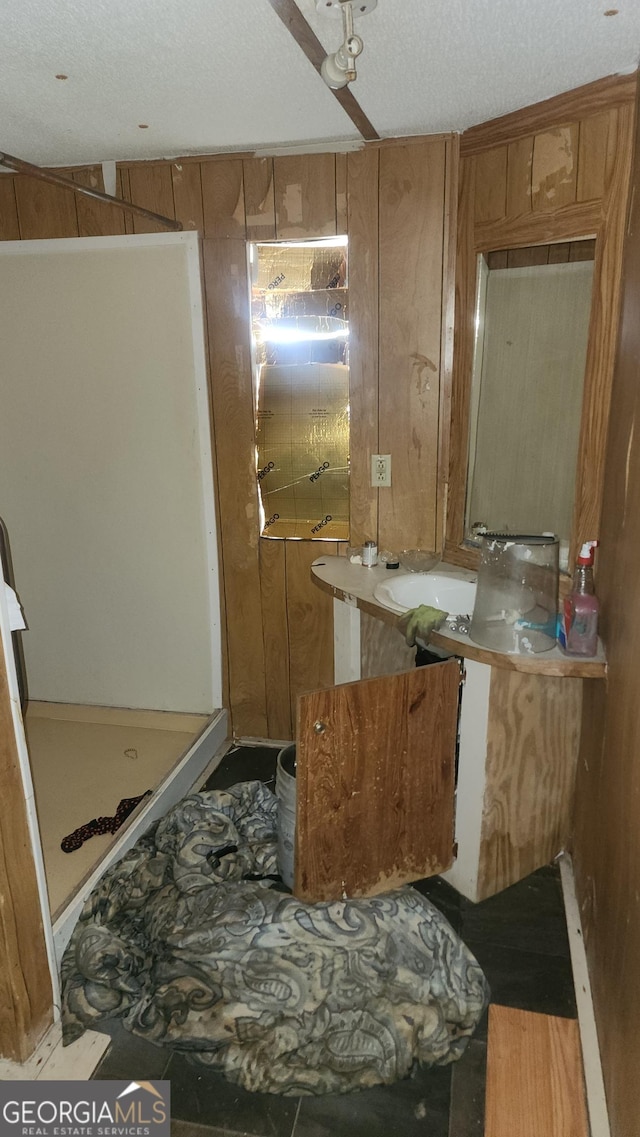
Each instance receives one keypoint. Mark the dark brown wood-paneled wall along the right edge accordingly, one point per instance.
(608, 803)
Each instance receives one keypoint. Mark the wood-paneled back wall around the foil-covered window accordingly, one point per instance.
(394, 203)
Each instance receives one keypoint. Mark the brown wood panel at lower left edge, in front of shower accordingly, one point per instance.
(27, 999)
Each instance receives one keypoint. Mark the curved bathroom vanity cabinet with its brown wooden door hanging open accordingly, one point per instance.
(380, 801)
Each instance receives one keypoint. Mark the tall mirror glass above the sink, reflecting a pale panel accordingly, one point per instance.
(531, 334)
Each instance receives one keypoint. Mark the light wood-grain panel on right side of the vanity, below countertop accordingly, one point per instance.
(531, 760)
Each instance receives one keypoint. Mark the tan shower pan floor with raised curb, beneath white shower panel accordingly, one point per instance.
(85, 760)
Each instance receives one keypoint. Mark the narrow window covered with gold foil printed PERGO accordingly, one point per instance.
(301, 331)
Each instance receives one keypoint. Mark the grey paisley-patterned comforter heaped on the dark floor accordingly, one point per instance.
(195, 948)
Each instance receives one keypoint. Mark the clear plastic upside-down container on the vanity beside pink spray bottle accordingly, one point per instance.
(517, 600)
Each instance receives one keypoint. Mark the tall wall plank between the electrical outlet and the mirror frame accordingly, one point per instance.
(412, 205)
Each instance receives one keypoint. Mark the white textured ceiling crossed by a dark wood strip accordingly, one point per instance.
(206, 76)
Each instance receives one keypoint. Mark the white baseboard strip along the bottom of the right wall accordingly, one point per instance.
(594, 1080)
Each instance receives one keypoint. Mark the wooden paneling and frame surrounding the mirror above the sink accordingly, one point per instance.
(495, 212)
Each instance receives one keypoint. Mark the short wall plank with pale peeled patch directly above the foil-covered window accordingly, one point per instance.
(305, 196)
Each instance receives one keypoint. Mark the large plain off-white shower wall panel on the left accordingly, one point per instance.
(106, 471)
